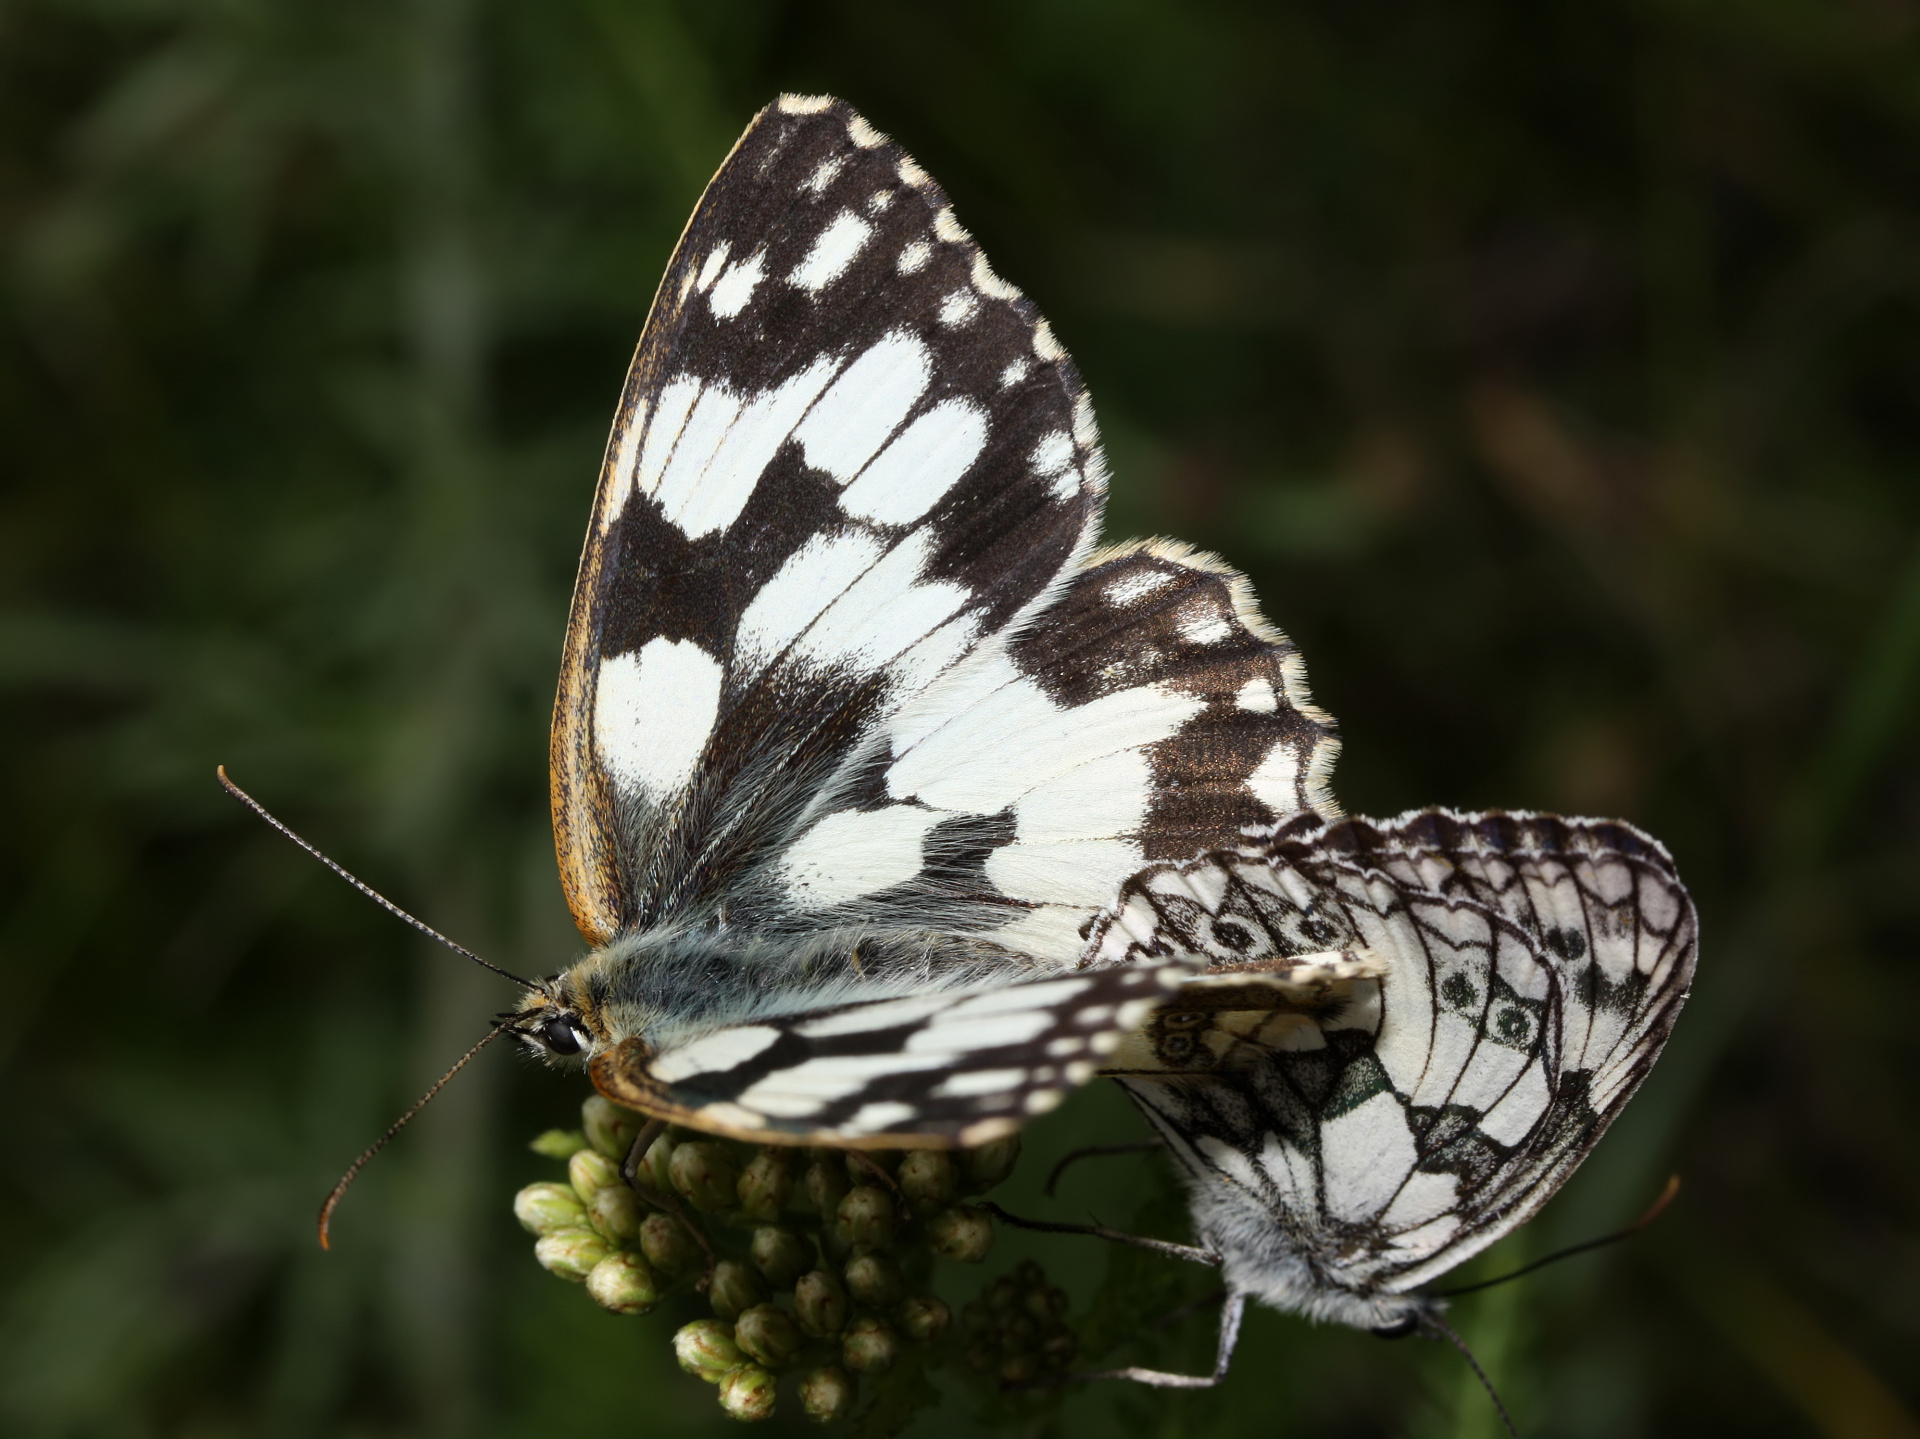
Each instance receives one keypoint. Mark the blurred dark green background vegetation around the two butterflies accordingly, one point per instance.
(1552, 368)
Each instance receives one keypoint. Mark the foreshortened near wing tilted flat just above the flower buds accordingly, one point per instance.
(923, 1071)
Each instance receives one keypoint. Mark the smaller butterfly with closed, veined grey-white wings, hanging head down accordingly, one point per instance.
(1408, 1037)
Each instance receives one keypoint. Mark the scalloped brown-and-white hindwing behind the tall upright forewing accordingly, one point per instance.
(1149, 712)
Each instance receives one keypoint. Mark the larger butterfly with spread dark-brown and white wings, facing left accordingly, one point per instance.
(857, 731)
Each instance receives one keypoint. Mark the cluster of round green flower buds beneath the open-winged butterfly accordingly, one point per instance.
(813, 1261)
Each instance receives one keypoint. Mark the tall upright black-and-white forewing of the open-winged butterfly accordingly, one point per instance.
(846, 452)
